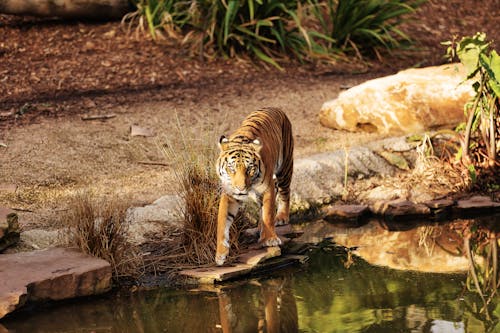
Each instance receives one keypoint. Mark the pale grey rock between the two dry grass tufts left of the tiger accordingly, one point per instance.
(162, 214)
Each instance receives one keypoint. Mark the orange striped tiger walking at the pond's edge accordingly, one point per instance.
(255, 162)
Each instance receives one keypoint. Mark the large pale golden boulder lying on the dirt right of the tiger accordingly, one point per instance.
(410, 101)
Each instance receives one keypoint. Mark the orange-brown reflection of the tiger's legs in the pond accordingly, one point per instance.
(275, 312)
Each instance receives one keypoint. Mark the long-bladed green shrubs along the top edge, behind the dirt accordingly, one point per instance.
(272, 30)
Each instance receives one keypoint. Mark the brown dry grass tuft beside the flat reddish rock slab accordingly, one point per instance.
(97, 226)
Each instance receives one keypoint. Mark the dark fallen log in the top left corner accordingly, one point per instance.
(81, 9)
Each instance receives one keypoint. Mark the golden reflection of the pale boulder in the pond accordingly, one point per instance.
(428, 248)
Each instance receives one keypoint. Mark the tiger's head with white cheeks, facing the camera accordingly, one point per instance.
(239, 166)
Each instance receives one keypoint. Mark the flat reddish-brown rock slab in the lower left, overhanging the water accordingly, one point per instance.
(52, 274)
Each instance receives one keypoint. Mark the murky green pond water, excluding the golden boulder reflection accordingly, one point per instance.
(323, 296)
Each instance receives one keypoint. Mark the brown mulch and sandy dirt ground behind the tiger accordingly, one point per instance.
(53, 73)
